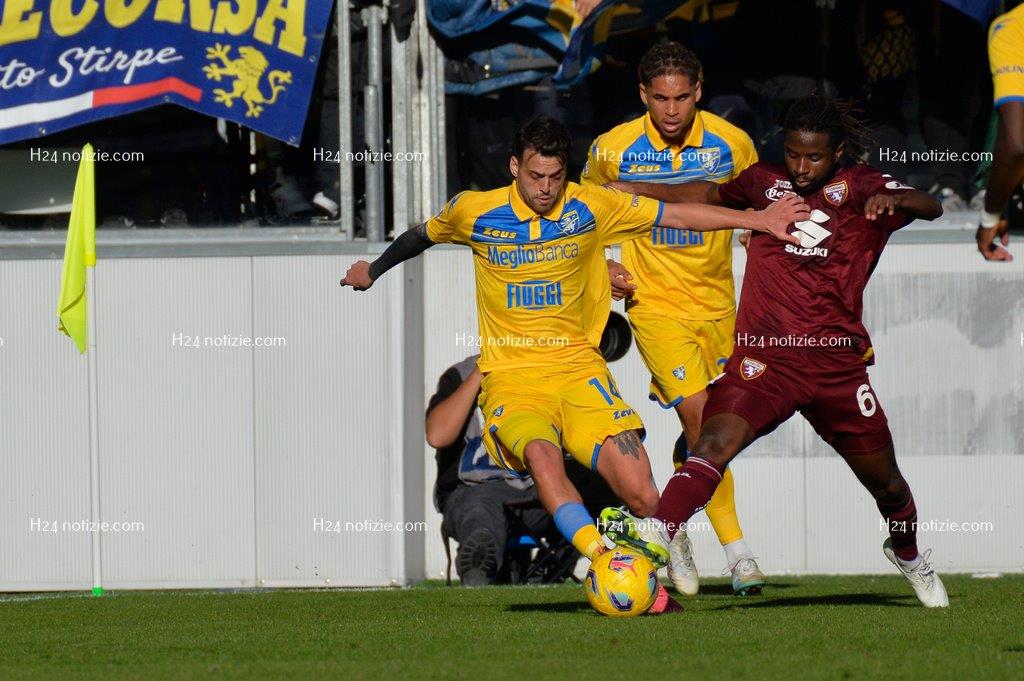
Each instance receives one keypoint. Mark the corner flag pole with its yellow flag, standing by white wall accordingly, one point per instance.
(77, 288)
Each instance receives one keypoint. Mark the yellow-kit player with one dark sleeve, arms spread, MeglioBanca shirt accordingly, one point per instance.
(546, 389)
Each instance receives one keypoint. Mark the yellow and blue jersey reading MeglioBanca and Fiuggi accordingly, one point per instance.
(533, 272)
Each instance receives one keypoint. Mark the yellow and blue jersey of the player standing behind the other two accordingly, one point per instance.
(678, 273)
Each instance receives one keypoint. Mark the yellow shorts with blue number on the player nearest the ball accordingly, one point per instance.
(574, 407)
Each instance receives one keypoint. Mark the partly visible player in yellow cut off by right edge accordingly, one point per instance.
(1006, 57)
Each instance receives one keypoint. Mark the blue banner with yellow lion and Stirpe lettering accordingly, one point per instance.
(66, 63)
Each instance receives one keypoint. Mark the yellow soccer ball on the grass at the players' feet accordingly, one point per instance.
(621, 584)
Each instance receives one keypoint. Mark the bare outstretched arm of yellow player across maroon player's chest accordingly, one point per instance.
(776, 220)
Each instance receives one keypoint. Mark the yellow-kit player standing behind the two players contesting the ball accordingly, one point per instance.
(682, 306)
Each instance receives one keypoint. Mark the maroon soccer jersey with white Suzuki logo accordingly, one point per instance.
(812, 296)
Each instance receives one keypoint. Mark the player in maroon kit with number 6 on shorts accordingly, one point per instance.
(801, 345)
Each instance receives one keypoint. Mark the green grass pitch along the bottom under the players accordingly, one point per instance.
(815, 627)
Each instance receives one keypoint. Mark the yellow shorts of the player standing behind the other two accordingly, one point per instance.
(682, 356)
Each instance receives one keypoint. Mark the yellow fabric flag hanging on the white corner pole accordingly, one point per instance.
(80, 252)
